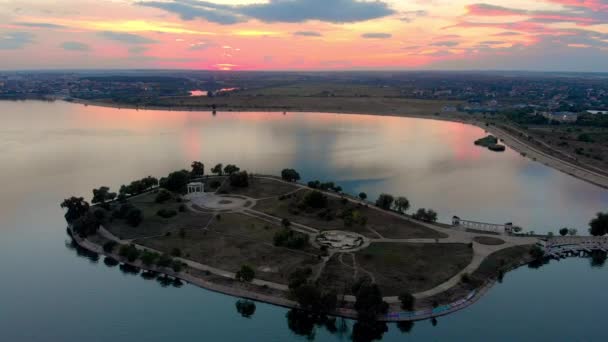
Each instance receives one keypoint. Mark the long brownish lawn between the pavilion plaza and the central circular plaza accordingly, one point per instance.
(229, 253)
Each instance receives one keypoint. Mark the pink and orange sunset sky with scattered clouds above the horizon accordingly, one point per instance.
(568, 35)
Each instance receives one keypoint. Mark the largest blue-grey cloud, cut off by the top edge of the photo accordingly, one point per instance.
(290, 11)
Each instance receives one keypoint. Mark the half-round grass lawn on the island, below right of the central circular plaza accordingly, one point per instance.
(400, 267)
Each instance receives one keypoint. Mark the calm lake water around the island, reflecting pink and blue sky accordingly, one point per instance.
(49, 151)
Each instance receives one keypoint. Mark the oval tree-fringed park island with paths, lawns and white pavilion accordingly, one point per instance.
(307, 246)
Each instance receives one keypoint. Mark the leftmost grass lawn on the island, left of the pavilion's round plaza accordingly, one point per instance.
(153, 224)
